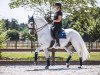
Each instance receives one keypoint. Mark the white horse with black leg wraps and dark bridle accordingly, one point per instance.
(40, 26)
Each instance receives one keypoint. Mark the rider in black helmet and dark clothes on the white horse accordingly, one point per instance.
(57, 22)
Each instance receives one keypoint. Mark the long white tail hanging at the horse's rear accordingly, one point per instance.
(84, 52)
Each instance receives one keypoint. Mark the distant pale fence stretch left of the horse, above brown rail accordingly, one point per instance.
(27, 44)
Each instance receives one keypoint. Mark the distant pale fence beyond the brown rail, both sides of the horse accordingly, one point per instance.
(29, 45)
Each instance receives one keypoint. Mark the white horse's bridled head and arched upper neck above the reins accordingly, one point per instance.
(35, 23)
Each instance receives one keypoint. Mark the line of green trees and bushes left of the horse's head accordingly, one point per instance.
(11, 30)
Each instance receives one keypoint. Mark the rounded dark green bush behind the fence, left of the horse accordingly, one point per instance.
(13, 34)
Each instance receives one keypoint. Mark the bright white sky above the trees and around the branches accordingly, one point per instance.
(21, 14)
